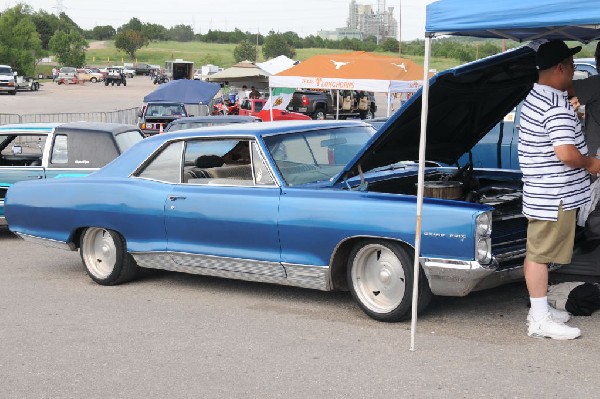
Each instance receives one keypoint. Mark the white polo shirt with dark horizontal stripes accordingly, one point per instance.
(548, 120)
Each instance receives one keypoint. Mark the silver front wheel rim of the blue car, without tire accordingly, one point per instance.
(378, 278)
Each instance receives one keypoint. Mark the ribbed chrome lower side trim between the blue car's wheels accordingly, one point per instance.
(315, 277)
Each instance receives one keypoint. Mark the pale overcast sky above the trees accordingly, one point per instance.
(304, 17)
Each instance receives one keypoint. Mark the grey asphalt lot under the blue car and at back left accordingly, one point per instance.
(171, 335)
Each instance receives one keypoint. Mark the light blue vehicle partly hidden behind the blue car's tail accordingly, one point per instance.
(55, 150)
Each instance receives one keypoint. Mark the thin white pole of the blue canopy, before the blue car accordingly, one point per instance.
(422, 142)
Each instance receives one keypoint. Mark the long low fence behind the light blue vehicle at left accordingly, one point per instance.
(126, 116)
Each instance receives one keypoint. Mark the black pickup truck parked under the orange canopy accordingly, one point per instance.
(318, 104)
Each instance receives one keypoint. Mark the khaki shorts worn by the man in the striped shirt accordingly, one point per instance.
(552, 242)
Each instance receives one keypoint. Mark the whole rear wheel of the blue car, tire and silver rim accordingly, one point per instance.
(105, 257)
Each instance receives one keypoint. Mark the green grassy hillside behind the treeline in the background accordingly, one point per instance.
(156, 53)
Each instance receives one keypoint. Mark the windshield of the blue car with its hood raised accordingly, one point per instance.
(310, 157)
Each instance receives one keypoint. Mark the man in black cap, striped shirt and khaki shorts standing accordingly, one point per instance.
(554, 162)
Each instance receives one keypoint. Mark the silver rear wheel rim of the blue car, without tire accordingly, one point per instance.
(99, 252)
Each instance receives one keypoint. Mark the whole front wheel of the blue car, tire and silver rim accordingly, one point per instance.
(380, 278)
